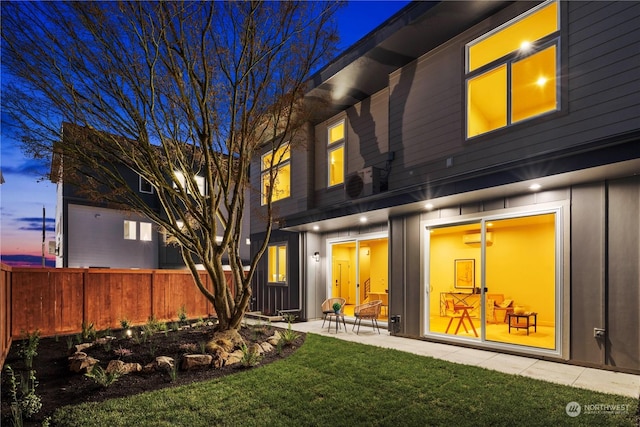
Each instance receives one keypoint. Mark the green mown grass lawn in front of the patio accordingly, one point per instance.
(334, 382)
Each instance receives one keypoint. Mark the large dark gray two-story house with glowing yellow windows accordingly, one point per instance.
(483, 155)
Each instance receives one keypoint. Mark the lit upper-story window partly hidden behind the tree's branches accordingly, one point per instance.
(276, 170)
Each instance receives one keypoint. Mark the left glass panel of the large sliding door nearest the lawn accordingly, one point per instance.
(454, 280)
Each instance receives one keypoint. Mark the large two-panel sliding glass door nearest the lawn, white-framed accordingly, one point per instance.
(495, 280)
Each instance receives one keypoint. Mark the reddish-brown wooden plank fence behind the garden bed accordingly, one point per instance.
(58, 301)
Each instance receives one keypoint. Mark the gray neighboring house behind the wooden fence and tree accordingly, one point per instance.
(90, 234)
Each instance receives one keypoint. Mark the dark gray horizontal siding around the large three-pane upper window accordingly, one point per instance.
(601, 98)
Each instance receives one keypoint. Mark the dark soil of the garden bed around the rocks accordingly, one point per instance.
(58, 386)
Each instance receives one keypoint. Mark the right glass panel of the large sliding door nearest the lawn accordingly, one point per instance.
(521, 281)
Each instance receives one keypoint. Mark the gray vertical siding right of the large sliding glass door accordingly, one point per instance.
(605, 273)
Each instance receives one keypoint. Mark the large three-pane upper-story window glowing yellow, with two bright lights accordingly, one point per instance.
(512, 72)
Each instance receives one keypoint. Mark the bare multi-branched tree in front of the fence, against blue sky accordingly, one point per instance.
(169, 90)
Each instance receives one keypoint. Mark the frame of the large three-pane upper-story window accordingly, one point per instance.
(507, 60)
